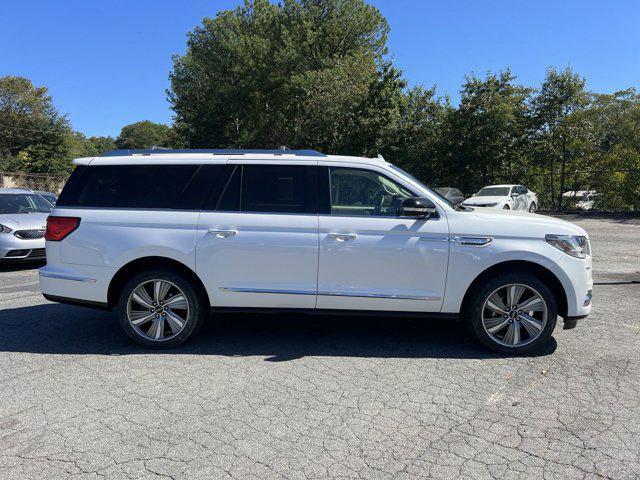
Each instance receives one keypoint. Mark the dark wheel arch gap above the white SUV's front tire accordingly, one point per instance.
(510, 266)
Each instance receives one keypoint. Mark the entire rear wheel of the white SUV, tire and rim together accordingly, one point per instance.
(151, 322)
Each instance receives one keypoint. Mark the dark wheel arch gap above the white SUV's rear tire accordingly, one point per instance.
(147, 263)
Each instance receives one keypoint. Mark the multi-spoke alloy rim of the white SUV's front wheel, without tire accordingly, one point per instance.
(514, 315)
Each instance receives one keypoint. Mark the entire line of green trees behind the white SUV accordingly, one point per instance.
(315, 74)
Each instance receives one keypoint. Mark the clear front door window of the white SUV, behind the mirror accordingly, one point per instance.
(360, 192)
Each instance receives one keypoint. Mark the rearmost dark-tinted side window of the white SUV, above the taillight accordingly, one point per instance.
(141, 186)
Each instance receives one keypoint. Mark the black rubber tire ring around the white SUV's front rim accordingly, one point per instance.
(472, 311)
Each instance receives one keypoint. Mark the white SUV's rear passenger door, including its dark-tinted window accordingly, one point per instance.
(257, 241)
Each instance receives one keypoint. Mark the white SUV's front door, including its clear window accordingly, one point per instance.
(372, 259)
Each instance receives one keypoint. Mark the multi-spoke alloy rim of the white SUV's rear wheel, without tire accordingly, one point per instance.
(157, 310)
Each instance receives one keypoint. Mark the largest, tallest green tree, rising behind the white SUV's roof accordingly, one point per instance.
(301, 73)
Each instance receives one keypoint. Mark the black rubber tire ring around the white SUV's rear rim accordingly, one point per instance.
(196, 306)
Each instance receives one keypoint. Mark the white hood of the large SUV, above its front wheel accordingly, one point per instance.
(510, 222)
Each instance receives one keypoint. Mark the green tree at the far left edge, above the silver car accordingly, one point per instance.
(32, 132)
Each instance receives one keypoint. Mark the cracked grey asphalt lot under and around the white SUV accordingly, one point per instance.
(302, 397)
